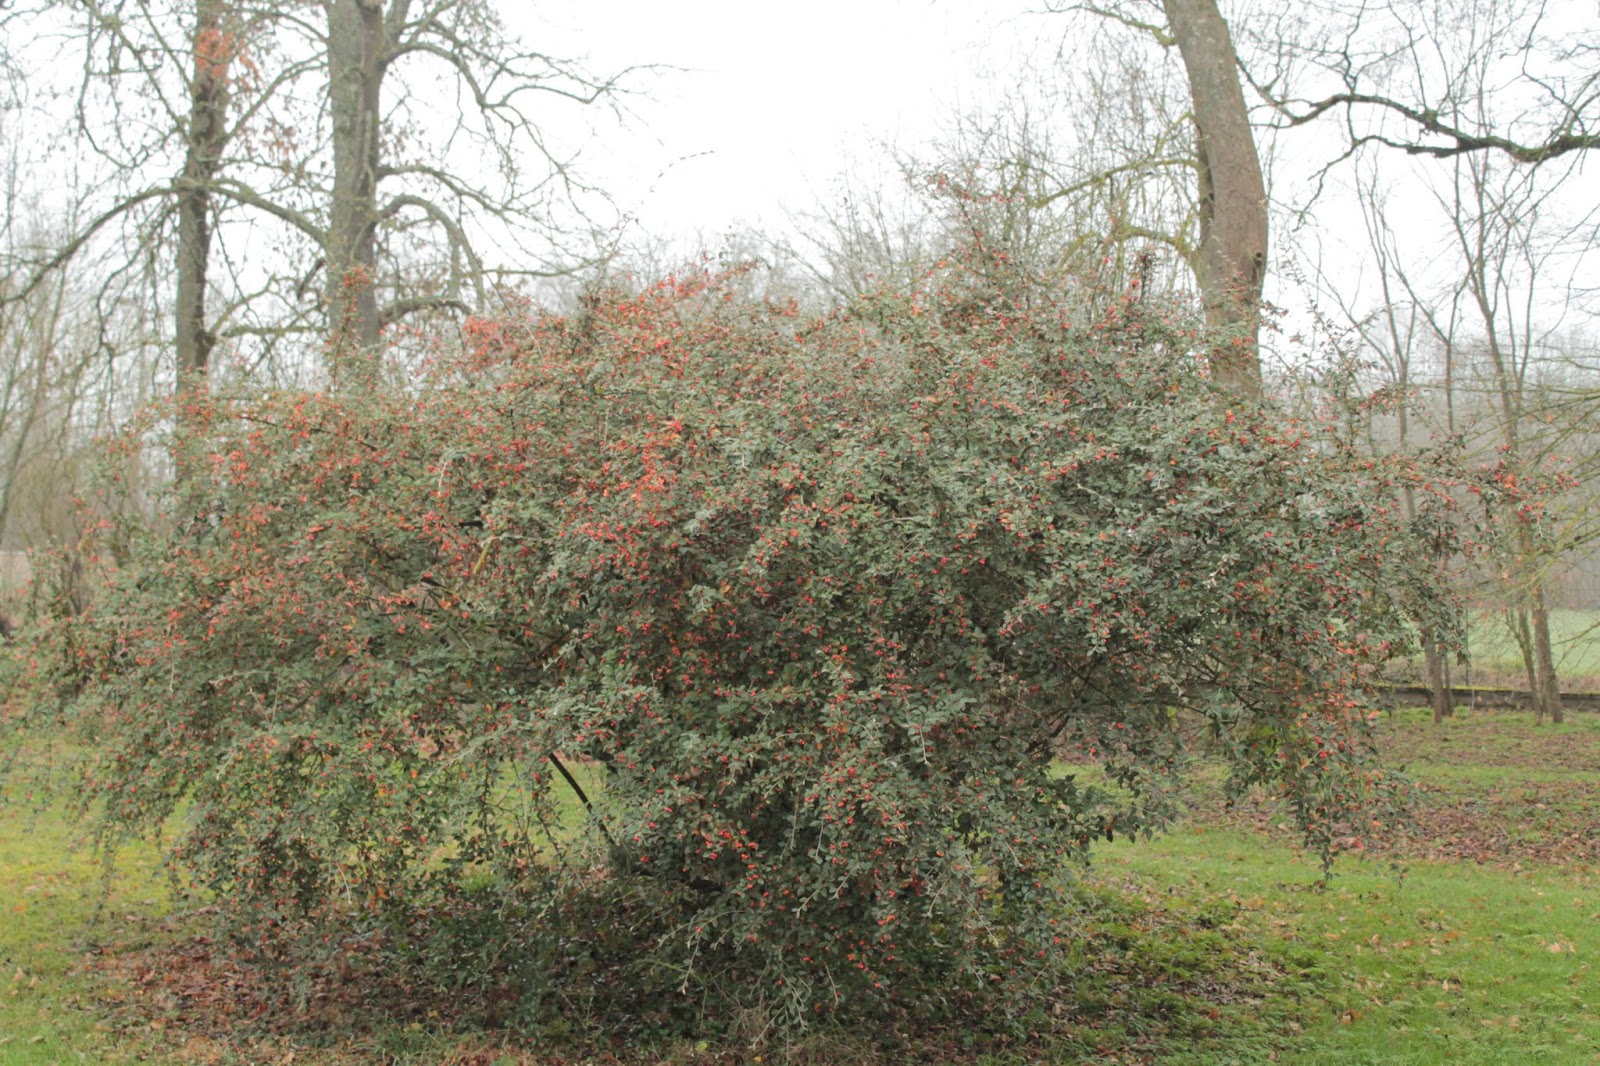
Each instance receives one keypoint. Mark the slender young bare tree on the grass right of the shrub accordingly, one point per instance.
(1492, 300)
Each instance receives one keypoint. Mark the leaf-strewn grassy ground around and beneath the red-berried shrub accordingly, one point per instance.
(1210, 947)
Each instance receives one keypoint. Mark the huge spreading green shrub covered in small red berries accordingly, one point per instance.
(806, 612)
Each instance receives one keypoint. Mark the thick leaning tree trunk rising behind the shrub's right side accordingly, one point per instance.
(1233, 194)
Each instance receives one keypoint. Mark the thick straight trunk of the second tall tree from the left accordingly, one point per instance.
(358, 46)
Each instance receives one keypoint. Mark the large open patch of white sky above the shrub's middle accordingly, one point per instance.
(770, 103)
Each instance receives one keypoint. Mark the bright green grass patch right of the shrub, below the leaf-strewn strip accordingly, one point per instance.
(1450, 964)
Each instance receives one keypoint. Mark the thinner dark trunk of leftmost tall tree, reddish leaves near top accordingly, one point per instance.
(206, 138)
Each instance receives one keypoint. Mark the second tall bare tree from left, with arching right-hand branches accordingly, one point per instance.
(366, 46)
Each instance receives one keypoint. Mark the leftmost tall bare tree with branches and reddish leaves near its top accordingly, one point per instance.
(166, 92)
